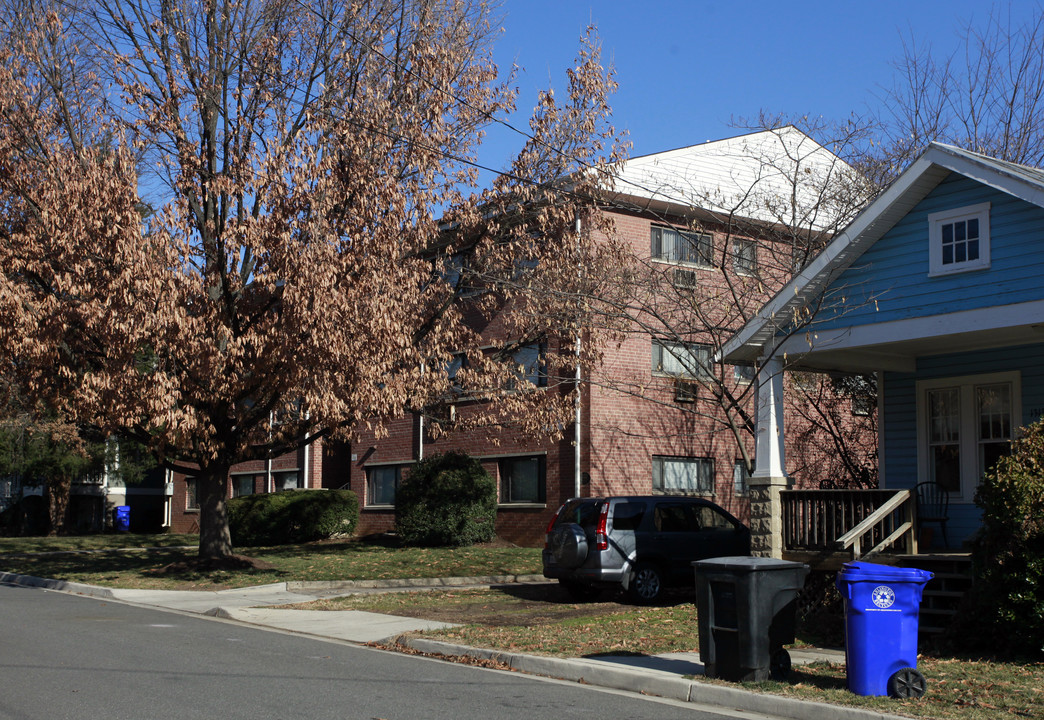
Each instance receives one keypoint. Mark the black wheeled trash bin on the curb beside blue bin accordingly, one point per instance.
(746, 612)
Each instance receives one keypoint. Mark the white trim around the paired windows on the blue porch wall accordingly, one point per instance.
(969, 444)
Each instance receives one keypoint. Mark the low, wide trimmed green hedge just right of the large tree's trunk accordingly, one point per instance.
(292, 517)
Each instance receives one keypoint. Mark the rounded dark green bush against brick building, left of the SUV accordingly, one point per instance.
(447, 500)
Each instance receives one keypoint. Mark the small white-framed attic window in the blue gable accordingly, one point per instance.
(959, 241)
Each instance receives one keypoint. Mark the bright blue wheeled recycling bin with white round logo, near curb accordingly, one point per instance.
(882, 609)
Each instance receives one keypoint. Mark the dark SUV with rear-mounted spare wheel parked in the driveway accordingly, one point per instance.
(640, 543)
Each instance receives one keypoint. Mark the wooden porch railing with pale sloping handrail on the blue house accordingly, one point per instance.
(858, 523)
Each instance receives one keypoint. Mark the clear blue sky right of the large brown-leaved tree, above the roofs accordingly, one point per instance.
(687, 67)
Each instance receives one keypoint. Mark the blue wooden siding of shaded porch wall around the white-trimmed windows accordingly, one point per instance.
(899, 421)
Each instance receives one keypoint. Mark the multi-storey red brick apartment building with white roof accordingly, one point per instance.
(700, 222)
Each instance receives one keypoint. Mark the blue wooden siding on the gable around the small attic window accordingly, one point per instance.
(890, 282)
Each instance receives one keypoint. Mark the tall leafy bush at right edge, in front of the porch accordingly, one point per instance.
(1006, 611)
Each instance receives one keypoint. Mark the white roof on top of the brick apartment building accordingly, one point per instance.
(776, 177)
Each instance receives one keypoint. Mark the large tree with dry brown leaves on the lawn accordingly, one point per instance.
(233, 228)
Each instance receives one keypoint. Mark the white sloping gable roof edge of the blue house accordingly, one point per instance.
(935, 164)
